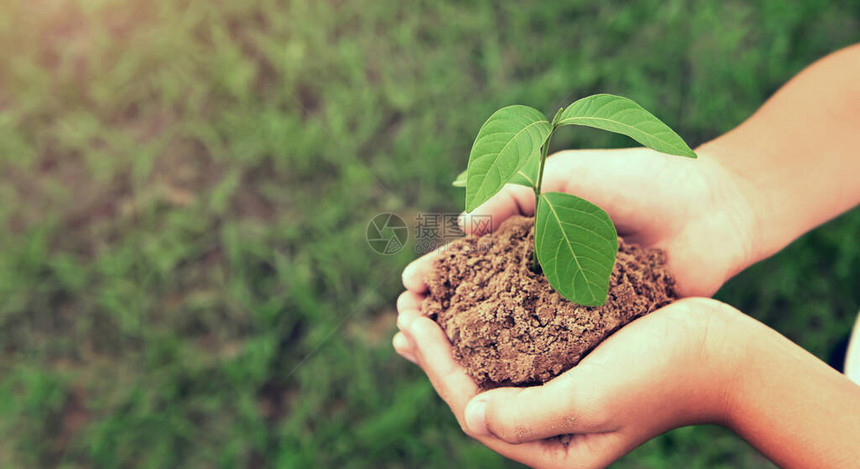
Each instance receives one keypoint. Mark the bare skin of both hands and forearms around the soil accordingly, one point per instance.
(751, 192)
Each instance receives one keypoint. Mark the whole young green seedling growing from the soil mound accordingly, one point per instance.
(575, 240)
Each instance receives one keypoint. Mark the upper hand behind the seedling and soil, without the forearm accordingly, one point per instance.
(695, 210)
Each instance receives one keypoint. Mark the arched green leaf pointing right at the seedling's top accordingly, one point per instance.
(623, 116)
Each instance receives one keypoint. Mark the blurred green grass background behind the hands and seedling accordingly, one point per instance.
(185, 186)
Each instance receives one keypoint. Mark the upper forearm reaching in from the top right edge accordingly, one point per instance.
(798, 157)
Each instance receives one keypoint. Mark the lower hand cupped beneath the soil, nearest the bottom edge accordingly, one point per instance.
(671, 368)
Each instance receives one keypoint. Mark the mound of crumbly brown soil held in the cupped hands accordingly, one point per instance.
(509, 327)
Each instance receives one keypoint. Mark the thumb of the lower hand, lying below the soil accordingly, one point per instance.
(517, 415)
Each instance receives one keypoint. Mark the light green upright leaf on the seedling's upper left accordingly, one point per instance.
(503, 146)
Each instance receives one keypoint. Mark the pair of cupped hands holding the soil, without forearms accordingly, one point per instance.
(619, 395)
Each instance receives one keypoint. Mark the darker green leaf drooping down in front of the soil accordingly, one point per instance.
(576, 245)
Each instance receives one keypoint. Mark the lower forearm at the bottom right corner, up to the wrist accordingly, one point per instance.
(792, 407)
